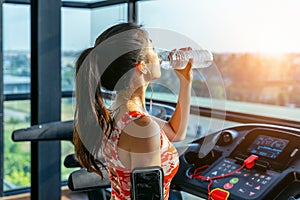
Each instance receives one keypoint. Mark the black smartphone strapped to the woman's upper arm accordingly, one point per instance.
(147, 183)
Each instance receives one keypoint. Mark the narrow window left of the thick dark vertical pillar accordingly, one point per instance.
(16, 76)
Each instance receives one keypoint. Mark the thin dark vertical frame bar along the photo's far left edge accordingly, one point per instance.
(1, 106)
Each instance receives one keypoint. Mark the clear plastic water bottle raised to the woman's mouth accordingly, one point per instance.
(179, 59)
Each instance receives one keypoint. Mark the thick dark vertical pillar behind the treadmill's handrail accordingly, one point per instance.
(45, 96)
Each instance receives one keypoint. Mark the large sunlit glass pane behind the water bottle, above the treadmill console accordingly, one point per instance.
(256, 66)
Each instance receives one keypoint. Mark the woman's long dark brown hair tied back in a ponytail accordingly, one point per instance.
(88, 145)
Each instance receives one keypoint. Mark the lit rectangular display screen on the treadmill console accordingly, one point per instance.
(267, 146)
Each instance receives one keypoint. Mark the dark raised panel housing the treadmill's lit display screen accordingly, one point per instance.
(275, 149)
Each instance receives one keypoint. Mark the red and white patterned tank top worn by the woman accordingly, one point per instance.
(121, 180)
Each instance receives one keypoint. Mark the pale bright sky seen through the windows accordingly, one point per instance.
(269, 26)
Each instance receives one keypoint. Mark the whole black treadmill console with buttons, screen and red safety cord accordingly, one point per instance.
(276, 166)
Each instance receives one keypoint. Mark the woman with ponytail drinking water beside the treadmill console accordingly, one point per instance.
(130, 136)
